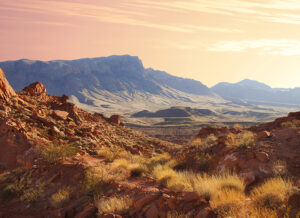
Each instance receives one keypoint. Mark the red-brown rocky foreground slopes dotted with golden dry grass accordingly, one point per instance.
(59, 161)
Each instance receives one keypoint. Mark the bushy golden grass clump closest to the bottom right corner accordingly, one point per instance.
(272, 193)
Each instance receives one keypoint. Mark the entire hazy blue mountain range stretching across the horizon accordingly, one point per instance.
(122, 85)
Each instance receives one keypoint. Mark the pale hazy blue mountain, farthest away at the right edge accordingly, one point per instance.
(256, 92)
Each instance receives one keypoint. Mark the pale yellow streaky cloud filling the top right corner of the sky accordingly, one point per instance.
(267, 11)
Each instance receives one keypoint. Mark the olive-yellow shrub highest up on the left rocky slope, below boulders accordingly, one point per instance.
(53, 153)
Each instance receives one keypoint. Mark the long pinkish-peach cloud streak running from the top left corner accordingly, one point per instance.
(123, 13)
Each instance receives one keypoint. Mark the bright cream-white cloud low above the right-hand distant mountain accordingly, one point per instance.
(262, 47)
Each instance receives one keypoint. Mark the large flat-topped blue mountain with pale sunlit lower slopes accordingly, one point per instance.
(116, 83)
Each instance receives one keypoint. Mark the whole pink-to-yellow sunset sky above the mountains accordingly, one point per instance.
(208, 40)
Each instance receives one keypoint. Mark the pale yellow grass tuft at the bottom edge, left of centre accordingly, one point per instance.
(114, 205)
